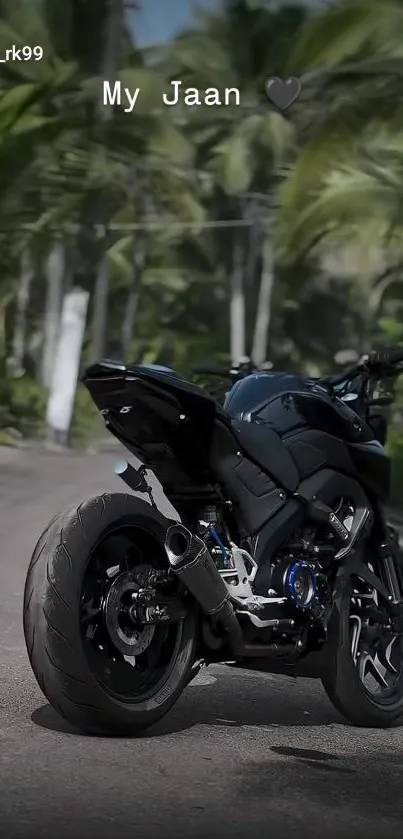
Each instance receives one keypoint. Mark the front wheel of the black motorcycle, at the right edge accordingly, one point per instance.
(363, 674)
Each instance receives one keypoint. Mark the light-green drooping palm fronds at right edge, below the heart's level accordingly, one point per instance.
(358, 216)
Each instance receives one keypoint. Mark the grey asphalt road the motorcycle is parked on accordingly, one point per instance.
(241, 755)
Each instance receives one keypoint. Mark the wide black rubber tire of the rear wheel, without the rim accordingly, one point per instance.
(53, 633)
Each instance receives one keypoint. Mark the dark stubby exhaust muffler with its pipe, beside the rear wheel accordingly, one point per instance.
(193, 564)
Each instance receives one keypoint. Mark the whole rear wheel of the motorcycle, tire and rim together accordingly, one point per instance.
(101, 672)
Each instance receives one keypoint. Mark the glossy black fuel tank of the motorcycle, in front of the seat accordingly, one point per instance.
(318, 428)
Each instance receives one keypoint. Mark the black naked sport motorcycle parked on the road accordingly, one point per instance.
(269, 549)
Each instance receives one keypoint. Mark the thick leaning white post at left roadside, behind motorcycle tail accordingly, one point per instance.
(67, 363)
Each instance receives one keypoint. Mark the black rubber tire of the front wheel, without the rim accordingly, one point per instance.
(341, 680)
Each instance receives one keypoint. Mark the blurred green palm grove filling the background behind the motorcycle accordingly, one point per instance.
(204, 232)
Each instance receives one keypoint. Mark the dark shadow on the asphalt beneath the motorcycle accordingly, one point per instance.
(229, 701)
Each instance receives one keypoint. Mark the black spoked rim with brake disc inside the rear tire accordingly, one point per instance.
(129, 658)
